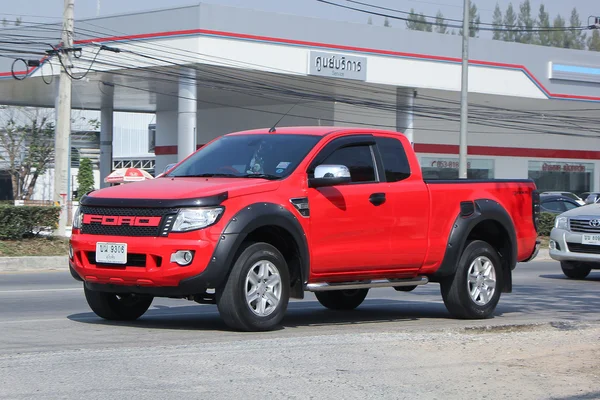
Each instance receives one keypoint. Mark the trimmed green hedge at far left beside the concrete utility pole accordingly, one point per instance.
(17, 222)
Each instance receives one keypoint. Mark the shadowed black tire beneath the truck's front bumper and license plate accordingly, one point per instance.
(117, 307)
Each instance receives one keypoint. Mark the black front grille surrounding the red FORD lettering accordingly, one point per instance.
(167, 216)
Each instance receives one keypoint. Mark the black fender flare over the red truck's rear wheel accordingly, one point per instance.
(472, 213)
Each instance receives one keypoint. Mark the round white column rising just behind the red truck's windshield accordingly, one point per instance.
(186, 114)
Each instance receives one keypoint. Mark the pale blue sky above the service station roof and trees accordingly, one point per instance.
(48, 10)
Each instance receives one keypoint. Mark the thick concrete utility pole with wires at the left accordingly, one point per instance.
(63, 121)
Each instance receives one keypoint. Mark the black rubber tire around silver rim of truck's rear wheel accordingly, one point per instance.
(456, 289)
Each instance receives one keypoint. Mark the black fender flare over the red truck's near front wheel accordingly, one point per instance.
(248, 219)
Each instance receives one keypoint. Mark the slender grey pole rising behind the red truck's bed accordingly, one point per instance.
(464, 114)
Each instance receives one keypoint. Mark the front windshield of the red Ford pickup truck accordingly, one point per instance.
(269, 156)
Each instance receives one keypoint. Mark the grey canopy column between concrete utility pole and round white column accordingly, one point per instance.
(106, 132)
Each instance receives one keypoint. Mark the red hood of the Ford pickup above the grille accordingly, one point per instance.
(172, 189)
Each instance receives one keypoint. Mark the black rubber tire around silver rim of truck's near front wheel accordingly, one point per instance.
(231, 298)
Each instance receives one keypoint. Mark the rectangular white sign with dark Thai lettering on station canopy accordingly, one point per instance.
(337, 66)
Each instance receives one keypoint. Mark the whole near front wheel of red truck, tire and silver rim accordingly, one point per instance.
(256, 294)
